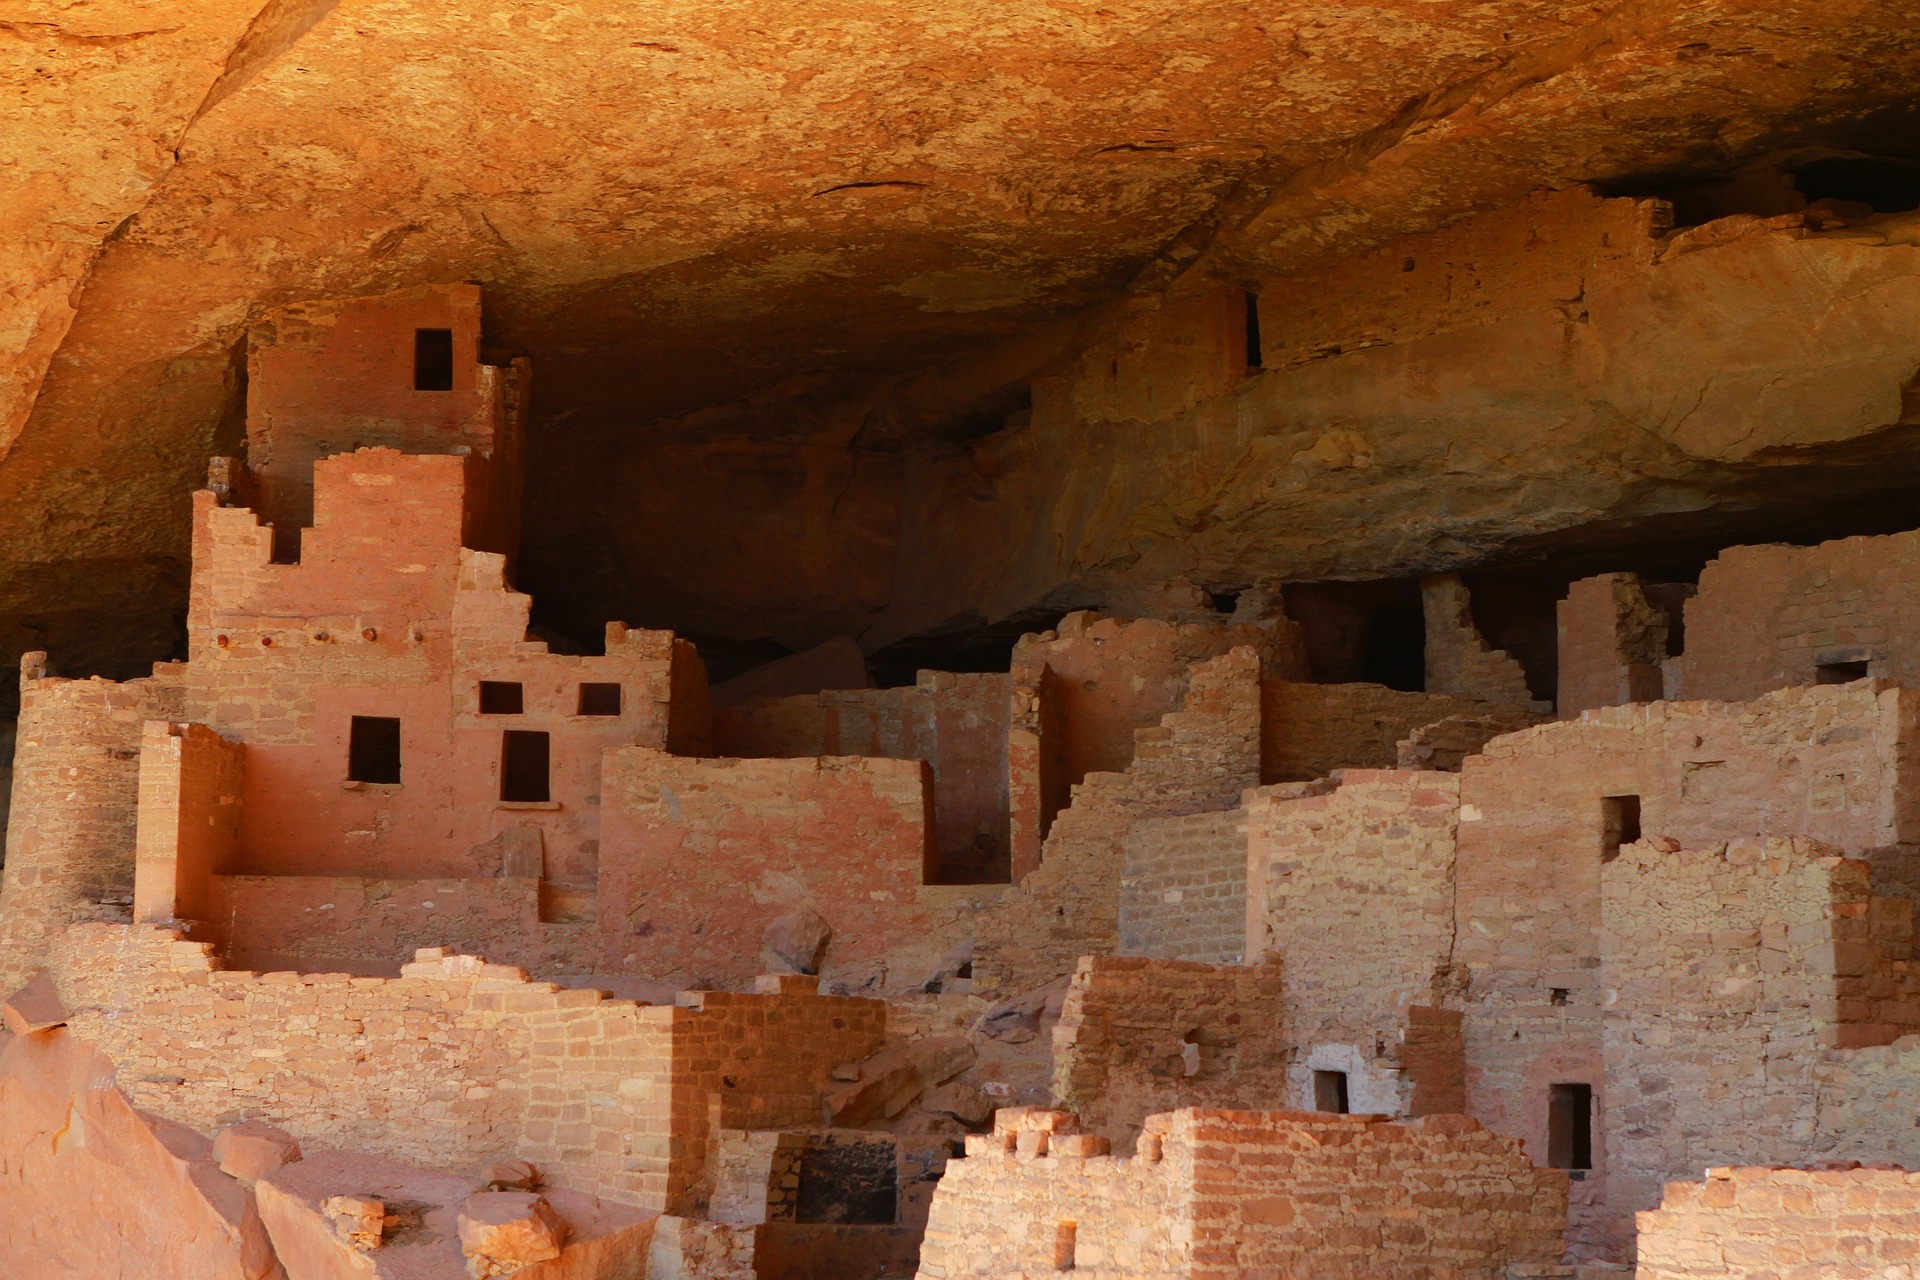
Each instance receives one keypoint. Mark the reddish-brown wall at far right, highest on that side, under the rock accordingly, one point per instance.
(1767, 617)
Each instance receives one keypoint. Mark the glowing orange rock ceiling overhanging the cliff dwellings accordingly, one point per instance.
(679, 208)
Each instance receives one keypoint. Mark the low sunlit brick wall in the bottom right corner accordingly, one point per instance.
(1760, 1223)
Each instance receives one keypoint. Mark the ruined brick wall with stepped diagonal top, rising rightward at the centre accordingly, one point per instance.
(1197, 761)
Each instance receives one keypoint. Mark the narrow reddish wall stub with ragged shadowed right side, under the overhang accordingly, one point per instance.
(1612, 646)
